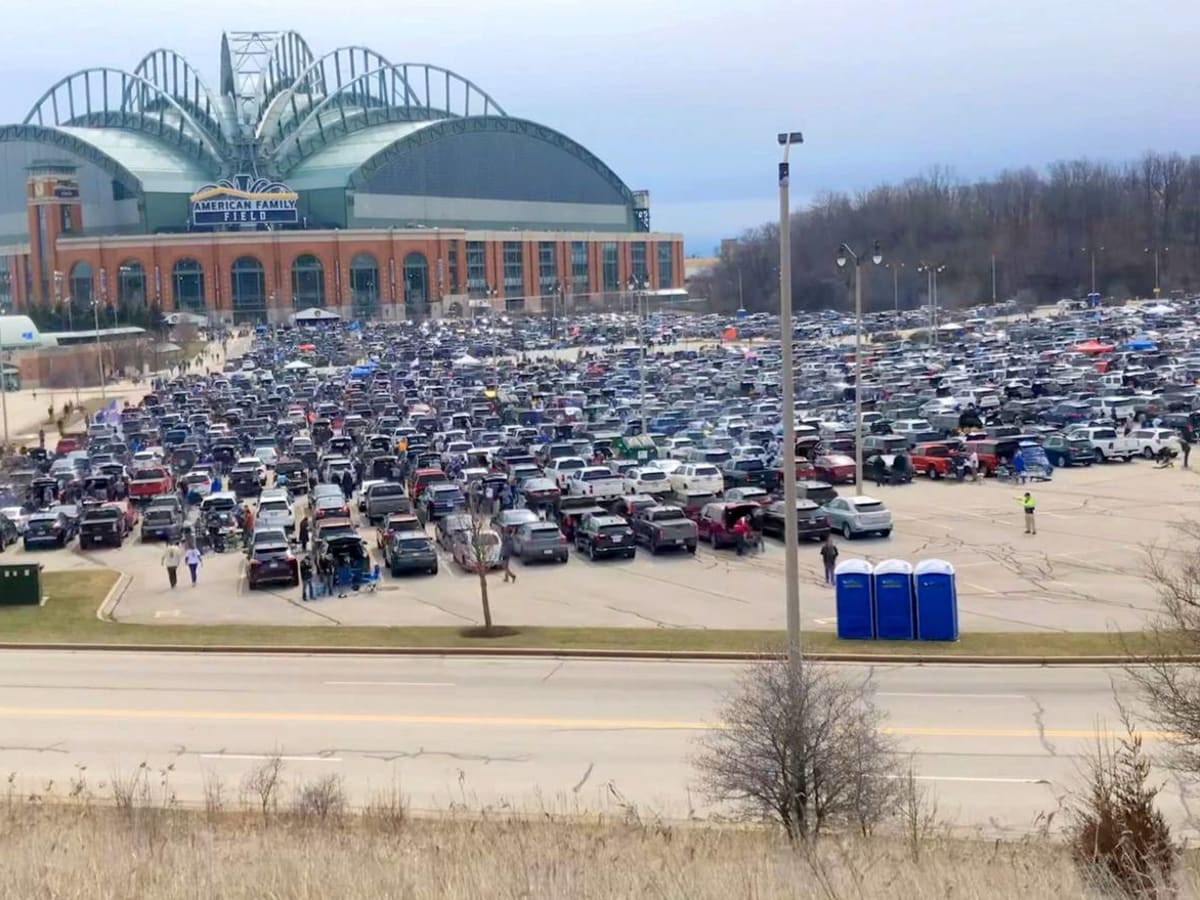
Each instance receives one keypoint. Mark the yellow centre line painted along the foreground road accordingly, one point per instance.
(524, 722)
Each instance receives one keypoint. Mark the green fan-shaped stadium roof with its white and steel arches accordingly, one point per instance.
(279, 112)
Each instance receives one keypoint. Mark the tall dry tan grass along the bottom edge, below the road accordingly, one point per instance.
(87, 853)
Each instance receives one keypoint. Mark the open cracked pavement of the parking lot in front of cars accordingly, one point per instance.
(1082, 573)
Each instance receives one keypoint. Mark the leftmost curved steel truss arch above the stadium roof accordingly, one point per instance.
(139, 105)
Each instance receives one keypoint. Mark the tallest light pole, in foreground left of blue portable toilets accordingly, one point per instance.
(788, 389)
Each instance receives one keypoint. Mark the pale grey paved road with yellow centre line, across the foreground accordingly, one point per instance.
(995, 746)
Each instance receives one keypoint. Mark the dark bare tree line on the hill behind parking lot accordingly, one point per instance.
(1042, 230)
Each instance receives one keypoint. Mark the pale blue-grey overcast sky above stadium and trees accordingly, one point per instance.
(685, 98)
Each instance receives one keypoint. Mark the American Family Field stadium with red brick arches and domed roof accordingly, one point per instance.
(343, 183)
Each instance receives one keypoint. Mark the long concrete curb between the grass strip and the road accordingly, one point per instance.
(590, 655)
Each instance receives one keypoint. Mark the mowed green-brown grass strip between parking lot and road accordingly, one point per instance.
(69, 616)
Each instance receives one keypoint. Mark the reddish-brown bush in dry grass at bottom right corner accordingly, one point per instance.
(1119, 839)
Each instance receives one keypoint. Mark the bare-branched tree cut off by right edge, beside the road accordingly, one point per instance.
(1169, 687)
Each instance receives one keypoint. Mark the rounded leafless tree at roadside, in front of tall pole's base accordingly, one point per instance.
(801, 747)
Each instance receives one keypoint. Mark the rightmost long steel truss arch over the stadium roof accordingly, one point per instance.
(382, 95)
